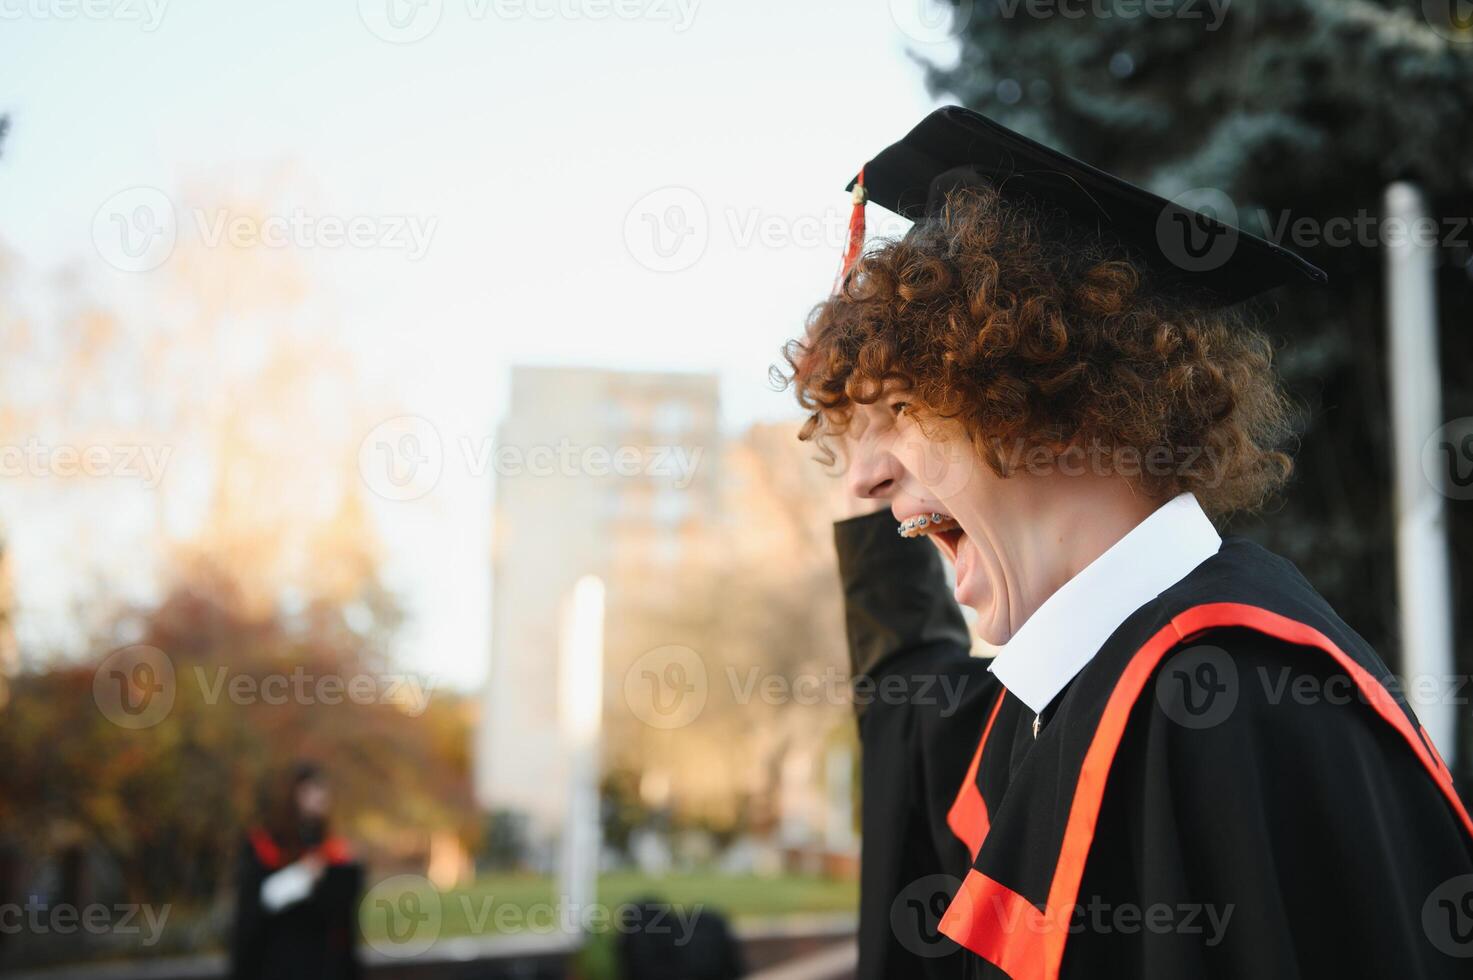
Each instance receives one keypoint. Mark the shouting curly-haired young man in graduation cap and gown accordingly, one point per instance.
(1181, 763)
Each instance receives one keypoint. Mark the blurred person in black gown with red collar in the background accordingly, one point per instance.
(297, 888)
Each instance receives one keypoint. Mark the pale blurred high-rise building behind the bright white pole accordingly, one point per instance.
(597, 472)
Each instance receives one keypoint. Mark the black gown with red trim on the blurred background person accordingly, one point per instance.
(312, 939)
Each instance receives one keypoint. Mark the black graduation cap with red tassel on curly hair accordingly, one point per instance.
(1184, 250)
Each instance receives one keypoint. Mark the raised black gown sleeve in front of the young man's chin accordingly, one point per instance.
(921, 701)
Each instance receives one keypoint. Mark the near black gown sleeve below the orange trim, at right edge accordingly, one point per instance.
(1297, 836)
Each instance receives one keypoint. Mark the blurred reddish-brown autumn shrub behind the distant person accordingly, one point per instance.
(167, 804)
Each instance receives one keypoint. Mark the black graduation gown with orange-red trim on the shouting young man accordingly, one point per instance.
(1232, 786)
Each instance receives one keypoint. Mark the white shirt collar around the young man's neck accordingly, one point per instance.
(1073, 624)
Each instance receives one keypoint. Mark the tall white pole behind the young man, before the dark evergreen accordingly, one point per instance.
(1416, 403)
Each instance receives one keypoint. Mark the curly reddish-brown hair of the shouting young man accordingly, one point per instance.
(1035, 335)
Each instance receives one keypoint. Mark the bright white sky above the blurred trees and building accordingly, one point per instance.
(535, 145)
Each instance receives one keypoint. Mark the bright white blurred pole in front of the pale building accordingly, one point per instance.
(581, 708)
